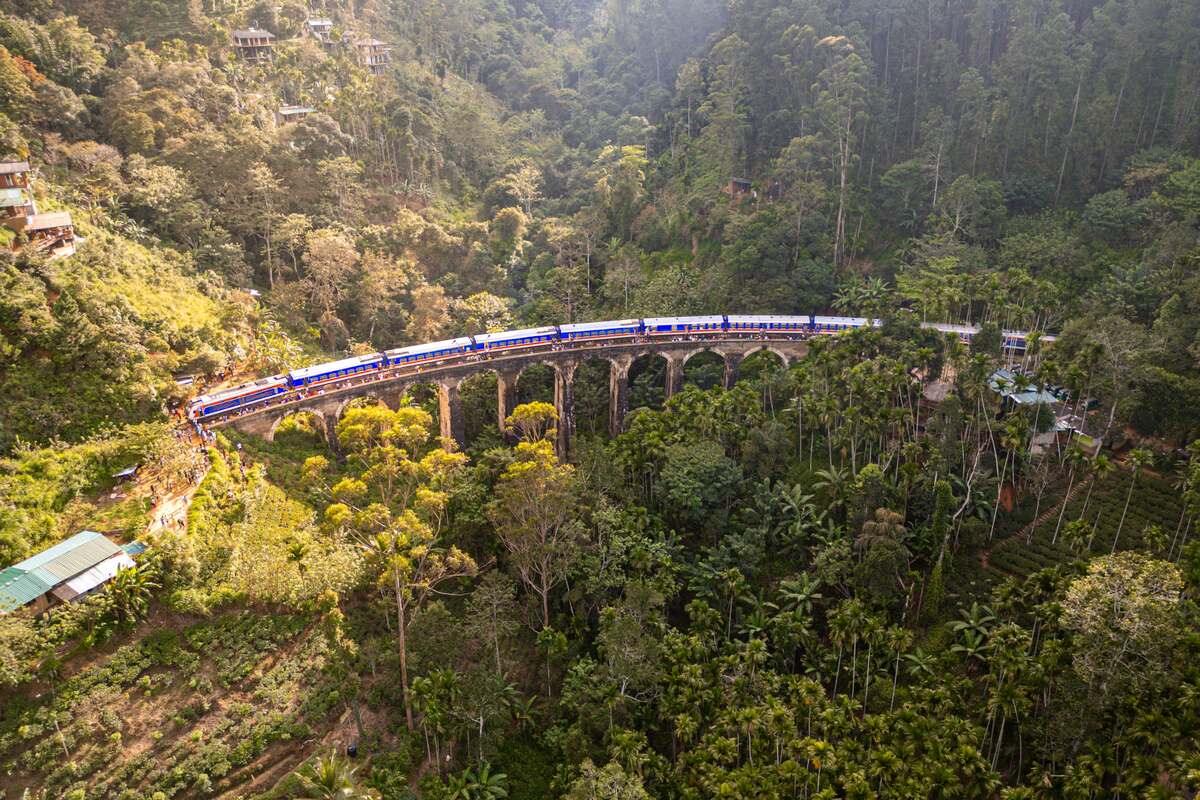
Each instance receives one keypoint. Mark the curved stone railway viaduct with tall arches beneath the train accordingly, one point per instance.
(389, 388)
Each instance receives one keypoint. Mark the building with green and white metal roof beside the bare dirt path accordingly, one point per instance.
(70, 570)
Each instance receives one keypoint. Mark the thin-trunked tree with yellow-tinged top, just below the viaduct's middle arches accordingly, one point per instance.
(535, 516)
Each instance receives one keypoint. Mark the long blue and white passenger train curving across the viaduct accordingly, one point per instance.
(317, 377)
